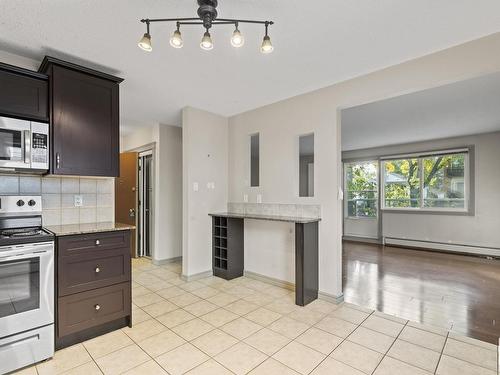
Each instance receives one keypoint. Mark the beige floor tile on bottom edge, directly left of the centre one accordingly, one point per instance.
(182, 359)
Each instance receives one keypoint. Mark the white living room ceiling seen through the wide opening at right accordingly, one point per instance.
(463, 108)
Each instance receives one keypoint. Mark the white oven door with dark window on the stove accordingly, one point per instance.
(26, 287)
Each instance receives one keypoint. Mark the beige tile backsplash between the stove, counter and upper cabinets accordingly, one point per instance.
(58, 197)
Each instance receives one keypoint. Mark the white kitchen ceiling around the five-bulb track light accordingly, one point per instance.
(317, 43)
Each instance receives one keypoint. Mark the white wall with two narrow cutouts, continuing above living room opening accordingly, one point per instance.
(280, 124)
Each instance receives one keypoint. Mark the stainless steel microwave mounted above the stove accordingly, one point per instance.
(24, 146)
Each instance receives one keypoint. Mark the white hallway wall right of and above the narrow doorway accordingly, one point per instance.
(167, 195)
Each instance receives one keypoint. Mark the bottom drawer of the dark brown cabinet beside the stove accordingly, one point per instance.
(85, 310)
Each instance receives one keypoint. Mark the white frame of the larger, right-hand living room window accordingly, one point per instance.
(468, 183)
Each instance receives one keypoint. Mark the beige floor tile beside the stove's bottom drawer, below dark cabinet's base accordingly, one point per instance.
(64, 360)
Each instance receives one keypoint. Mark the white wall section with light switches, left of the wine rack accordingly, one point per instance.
(205, 144)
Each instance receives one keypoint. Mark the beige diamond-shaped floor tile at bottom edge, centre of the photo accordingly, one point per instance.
(241, 358)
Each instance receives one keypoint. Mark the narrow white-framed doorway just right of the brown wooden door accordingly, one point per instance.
(145, 204)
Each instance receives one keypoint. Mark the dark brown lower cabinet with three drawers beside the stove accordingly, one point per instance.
(93, 285)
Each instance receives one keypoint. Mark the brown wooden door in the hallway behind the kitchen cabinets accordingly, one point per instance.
(126, 195)
